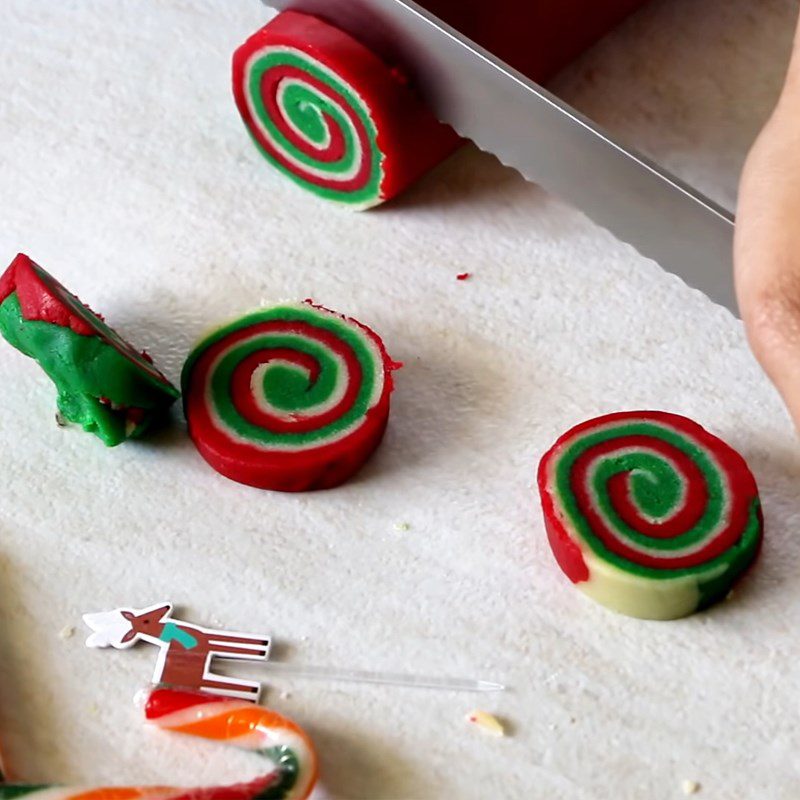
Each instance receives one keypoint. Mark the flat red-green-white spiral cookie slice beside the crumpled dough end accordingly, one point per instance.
(291, 398)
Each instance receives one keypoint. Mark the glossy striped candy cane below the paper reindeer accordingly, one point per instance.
(292, 763)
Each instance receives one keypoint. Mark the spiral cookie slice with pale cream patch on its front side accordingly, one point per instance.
(648, 513)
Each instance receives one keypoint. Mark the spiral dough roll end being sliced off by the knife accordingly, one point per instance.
(331, 115)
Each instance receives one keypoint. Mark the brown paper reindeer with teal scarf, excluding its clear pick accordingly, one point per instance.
(186, 651)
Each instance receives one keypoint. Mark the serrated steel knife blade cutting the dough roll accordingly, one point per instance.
(550, 143)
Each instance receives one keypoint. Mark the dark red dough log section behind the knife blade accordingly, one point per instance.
(537, 37)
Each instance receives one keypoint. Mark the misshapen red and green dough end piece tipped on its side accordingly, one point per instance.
(104, 385)
